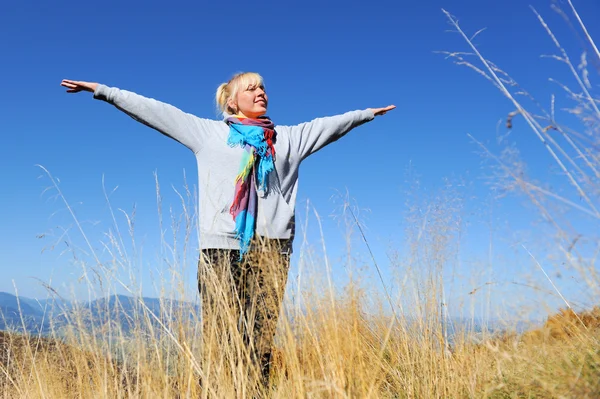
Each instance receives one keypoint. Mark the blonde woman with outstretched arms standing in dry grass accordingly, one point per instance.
(248, 180)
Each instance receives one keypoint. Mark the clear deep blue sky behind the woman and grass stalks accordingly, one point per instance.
(318, 58)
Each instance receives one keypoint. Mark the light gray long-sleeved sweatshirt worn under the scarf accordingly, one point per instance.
(218, 163)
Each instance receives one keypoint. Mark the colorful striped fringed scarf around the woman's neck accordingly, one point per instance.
(256, 137)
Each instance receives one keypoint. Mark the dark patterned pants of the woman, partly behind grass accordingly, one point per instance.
(244, 296)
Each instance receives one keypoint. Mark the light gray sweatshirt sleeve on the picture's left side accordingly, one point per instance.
(167, 119)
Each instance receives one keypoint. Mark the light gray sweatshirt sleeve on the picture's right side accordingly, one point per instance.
(308, 138)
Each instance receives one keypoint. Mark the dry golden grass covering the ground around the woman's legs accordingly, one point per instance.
(335, 350)
